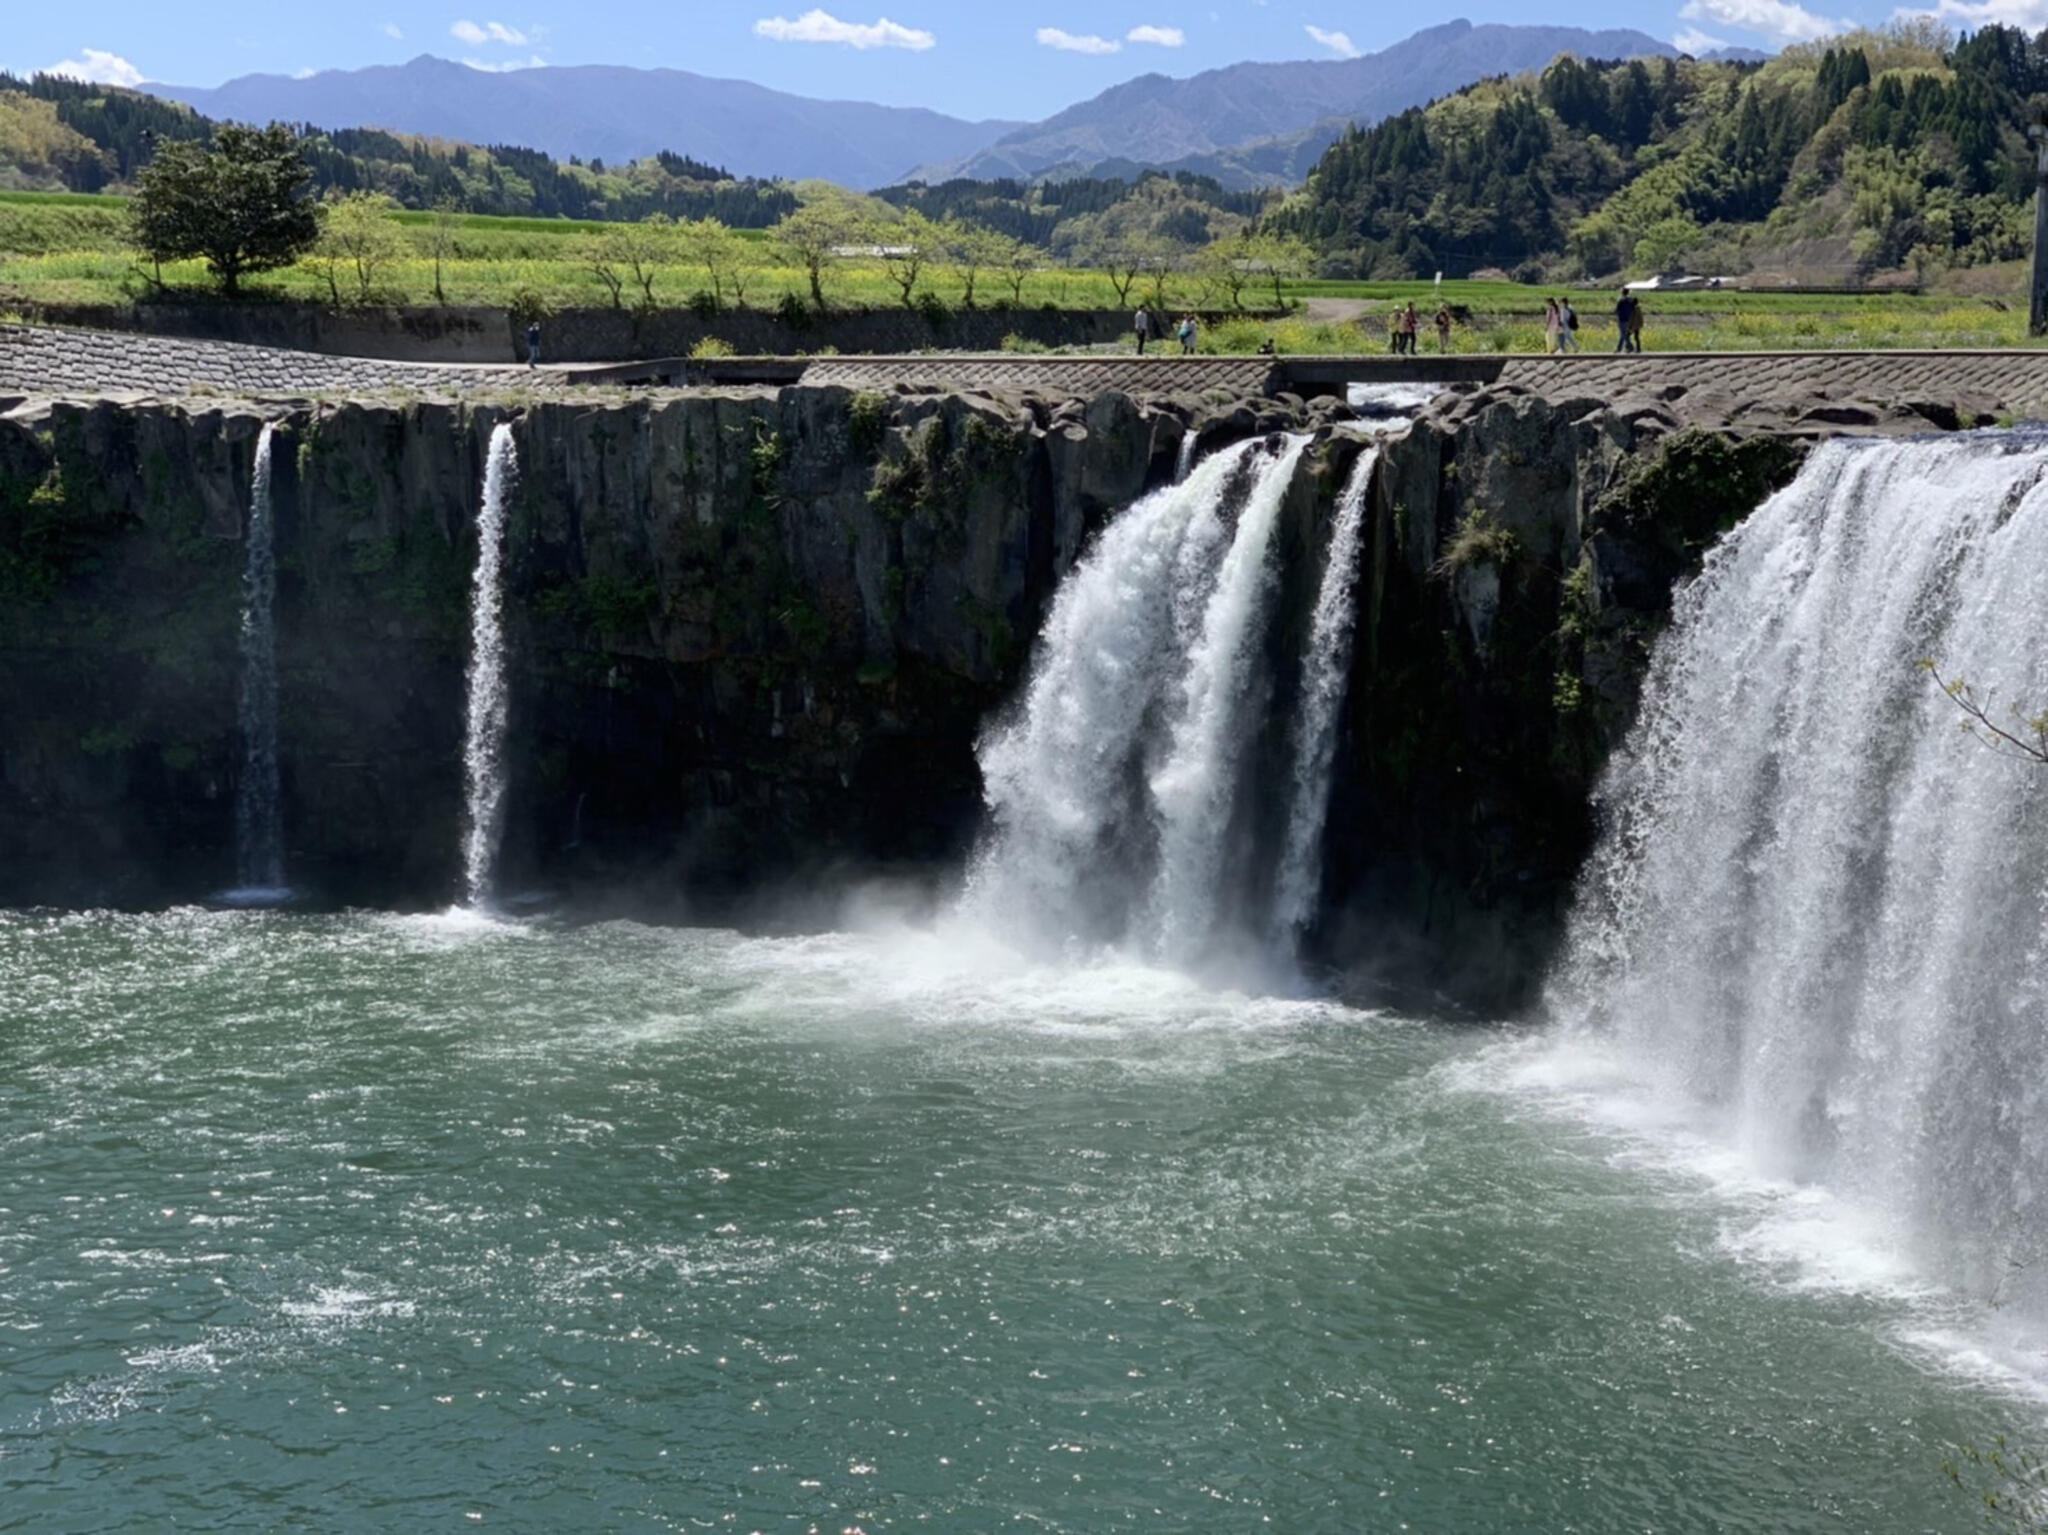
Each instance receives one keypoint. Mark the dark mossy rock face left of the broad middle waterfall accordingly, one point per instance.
(755, 633)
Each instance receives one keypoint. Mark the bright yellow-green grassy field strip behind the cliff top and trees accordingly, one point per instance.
(71, 249)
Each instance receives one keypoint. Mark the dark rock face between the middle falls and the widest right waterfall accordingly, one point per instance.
(1523, 564)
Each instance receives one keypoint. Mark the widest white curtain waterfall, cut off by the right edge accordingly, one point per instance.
(1818, 910)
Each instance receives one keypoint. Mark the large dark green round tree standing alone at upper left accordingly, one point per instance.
(239, 204)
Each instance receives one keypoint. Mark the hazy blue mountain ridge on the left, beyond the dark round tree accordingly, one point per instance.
(609, 114)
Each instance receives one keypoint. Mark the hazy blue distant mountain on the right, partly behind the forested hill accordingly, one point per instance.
(1265, 124)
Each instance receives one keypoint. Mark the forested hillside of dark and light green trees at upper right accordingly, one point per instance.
(1883, 150)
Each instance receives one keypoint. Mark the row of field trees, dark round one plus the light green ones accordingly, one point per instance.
(243, 206)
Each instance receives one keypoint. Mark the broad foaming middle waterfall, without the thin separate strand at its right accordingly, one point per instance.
(1113, 789)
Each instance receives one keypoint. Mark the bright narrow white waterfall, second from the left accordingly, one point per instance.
(486, 715)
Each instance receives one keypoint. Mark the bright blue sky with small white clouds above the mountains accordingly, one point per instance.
(968, 58)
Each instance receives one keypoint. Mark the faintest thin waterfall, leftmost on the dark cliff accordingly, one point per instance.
(259, 822)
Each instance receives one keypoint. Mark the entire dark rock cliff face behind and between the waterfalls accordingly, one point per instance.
(757, 635)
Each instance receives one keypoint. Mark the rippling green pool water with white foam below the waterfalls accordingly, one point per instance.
(372, 1223)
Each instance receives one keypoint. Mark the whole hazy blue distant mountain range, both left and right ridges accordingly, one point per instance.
(1246, 124)
